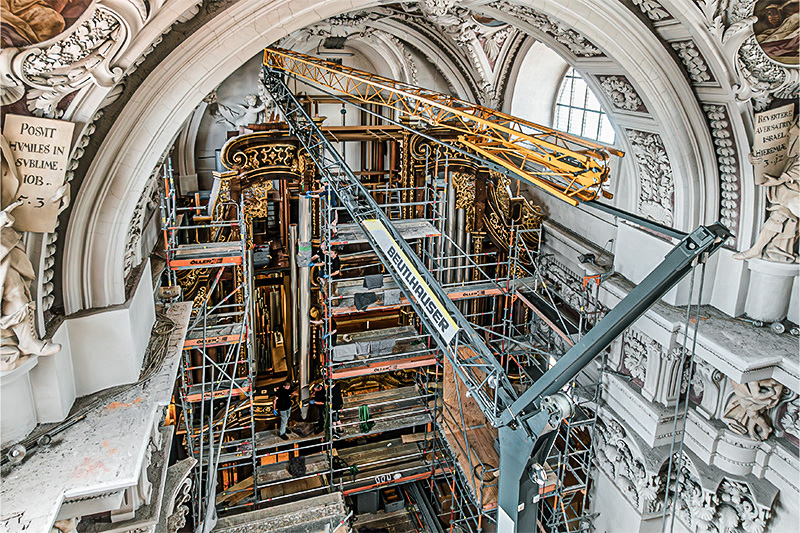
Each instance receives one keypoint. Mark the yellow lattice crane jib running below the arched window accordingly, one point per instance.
(569, 167)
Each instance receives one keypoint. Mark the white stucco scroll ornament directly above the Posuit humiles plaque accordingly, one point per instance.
(67, 64)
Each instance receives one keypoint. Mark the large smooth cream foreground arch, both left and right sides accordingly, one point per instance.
(149, 122)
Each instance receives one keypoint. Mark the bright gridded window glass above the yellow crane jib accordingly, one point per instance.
(579, 112)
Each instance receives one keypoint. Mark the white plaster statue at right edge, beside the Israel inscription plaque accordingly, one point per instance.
(779, 236)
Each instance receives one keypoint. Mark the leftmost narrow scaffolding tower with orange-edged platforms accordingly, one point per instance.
(217, 369)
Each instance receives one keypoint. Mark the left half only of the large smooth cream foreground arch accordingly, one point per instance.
(145, 128)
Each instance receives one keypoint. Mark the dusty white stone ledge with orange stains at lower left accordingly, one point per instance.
(102, 454)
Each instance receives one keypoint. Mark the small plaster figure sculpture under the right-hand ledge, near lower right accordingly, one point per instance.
(746, 410)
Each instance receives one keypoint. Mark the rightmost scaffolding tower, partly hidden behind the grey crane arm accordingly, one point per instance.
(563, 306)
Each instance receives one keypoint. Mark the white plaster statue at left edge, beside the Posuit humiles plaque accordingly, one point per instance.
(17, 329)
